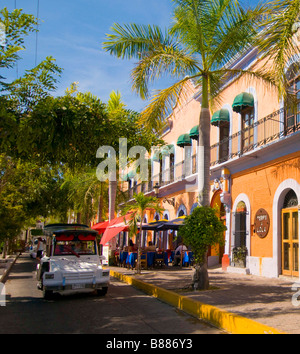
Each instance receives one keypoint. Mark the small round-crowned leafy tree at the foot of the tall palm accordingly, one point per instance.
(201, 230)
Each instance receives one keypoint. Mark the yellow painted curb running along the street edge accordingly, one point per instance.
(222, 319)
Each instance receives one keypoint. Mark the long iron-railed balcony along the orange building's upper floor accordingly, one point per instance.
(259, 135)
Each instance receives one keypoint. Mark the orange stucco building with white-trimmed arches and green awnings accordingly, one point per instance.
(255, 171)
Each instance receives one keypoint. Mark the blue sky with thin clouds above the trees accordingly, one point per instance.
(73, 31)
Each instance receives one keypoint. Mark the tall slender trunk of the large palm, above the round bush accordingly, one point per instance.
(204, 148)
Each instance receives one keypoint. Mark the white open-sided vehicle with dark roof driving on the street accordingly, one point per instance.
(71, 263)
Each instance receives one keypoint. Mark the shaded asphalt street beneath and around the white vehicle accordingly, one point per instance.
(124, 310)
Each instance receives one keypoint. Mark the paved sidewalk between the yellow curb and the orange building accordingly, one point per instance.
(263, 300)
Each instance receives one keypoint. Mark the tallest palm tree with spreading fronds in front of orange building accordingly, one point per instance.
(205, 36)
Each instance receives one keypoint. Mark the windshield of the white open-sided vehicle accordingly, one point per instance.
(74, 248)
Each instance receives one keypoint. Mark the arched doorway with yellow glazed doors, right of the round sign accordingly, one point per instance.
(290, 235)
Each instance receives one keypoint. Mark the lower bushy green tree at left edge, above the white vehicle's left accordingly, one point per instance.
(27, 191)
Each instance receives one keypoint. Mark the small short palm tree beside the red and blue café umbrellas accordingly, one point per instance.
(137, 209)
